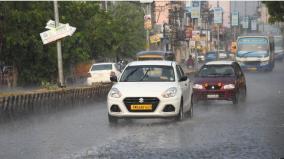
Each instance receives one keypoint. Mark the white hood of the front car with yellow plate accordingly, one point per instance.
(143, 89)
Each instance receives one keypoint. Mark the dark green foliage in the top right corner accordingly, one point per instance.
(275, 10)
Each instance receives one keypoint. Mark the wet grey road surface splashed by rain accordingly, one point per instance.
(254, 129)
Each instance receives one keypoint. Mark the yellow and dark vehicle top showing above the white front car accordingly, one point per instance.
(155, 55)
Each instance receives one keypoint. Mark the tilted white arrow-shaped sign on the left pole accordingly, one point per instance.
(57, 33)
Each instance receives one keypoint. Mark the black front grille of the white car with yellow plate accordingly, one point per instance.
(137, 100)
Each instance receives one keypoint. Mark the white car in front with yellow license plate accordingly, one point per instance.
(150, 89)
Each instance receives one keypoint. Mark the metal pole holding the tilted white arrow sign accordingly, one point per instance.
(59, 54)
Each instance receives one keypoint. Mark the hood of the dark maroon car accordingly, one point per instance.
(214, 80)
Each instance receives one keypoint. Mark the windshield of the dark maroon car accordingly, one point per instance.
(214, 70)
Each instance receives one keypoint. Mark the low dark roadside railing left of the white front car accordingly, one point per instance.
(44, 100)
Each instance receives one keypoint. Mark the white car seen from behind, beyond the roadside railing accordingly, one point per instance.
(101, 72)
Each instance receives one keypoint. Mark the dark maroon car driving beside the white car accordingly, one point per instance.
(220, 80)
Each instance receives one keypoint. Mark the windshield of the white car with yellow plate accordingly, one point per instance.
(148, 74)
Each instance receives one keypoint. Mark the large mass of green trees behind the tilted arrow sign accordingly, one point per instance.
(116, 33)
